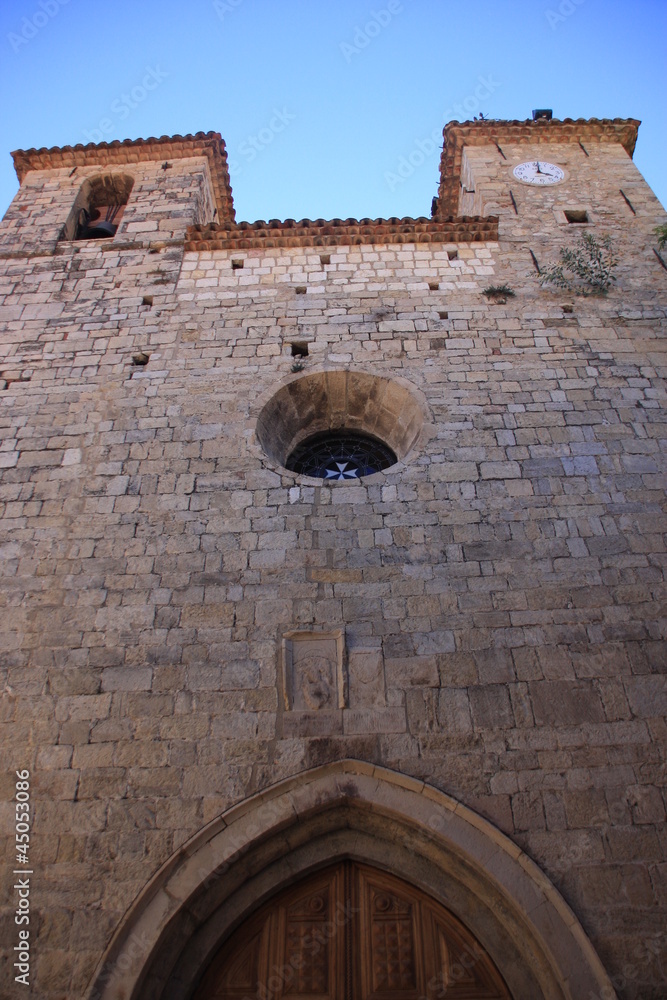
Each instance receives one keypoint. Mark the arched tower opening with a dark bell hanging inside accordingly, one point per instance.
(98, 207)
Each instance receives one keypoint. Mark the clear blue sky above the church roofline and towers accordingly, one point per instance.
(321, 101)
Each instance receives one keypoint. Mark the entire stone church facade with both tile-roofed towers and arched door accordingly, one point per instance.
(296, 726)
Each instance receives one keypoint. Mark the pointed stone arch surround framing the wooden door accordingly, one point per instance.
(351, 813)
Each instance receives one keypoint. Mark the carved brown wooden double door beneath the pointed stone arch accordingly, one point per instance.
(352, 932)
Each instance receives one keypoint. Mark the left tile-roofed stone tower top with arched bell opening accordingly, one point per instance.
(134, 192)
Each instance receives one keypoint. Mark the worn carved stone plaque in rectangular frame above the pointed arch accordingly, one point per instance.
(313, 678)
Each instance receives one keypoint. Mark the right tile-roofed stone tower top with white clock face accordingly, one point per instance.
(544, 178)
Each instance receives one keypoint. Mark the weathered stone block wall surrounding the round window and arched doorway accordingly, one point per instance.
(499, 590)
